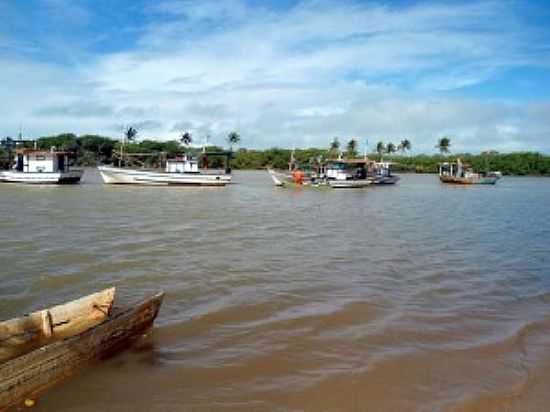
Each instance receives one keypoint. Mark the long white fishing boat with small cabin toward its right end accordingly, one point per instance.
(183, 171)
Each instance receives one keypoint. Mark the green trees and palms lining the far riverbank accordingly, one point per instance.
(90, 150)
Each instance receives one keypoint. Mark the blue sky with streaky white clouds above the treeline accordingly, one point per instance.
(282, 73)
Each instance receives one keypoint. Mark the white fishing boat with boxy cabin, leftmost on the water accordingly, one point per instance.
(36, 166)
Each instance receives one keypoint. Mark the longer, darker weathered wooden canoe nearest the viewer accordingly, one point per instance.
(29, 374)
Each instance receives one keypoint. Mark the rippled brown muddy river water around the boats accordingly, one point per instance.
(418, 297)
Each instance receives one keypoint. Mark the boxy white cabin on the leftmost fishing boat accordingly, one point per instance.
(41, 161)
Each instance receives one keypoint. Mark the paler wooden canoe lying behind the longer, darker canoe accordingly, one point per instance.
(22, 335)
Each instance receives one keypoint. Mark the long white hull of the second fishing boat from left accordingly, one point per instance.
(117, 175)
